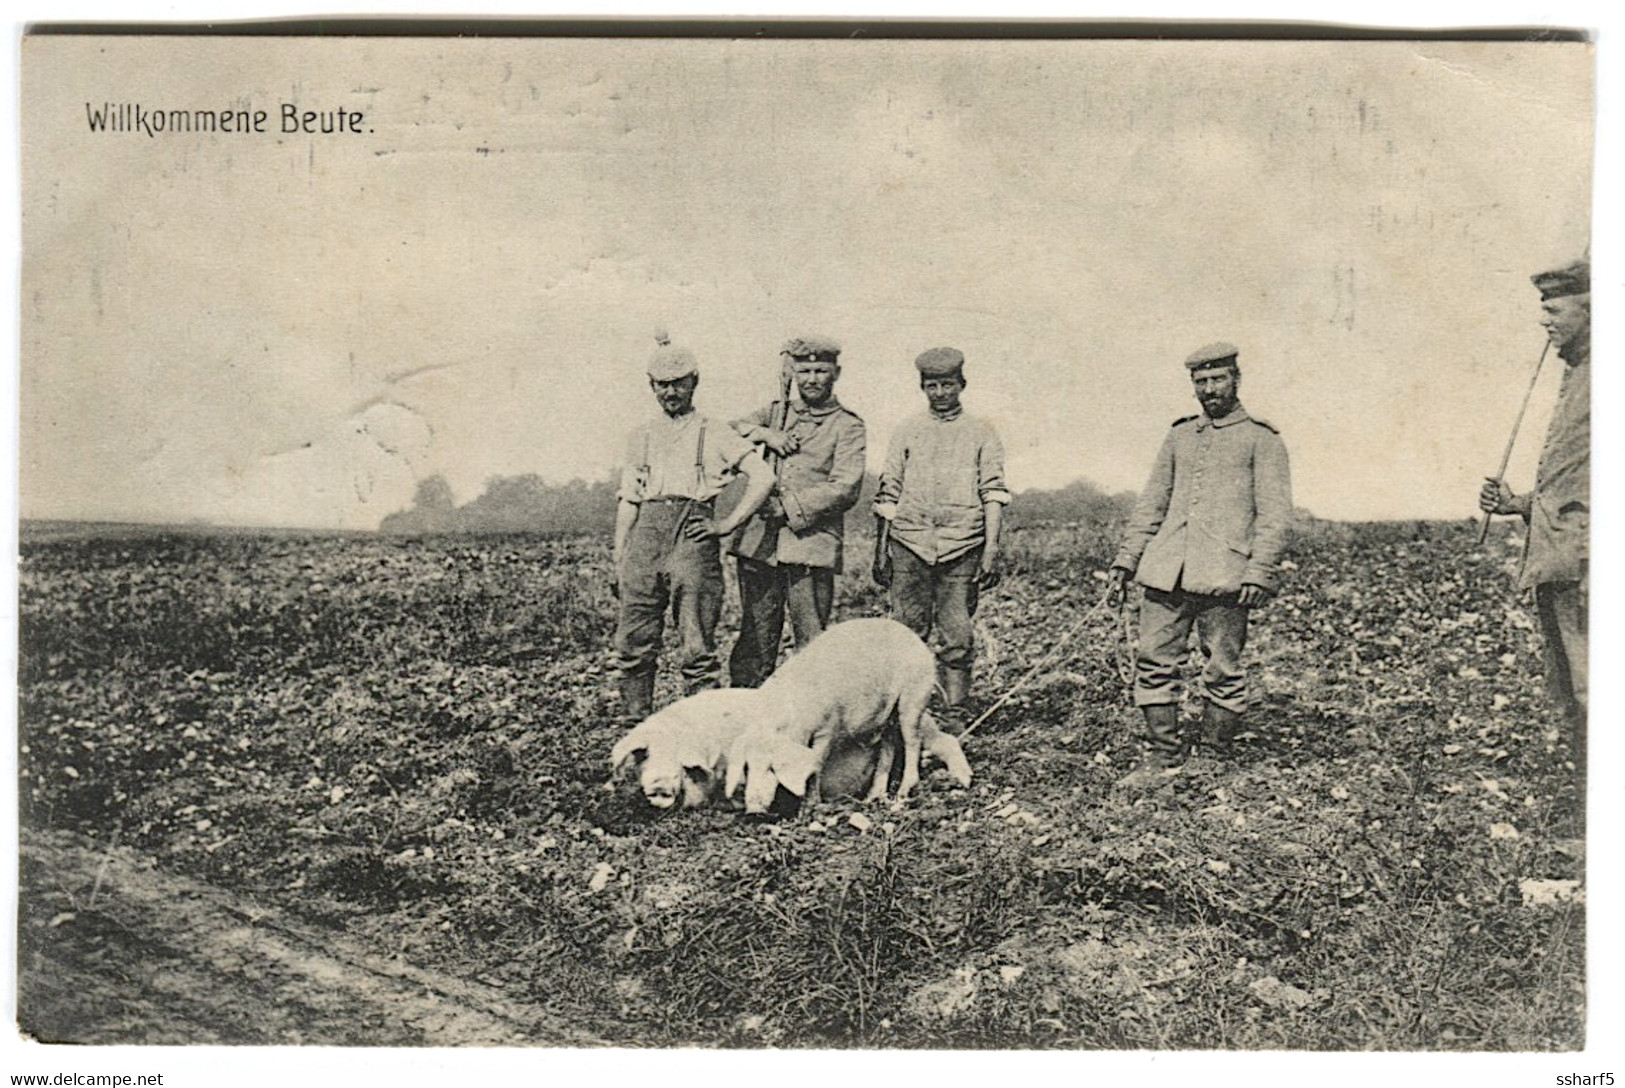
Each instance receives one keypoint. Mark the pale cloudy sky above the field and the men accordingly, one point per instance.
(297, 329)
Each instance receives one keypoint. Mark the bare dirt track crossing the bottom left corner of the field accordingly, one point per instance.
(113, 951)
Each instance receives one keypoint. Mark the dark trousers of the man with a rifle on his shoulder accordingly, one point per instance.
(766, 595)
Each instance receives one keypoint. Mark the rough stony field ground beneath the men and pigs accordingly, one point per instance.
(358, 792)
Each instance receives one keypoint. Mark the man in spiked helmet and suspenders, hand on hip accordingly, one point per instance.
(667, 537)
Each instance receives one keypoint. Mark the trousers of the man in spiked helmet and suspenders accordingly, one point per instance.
(664, 569)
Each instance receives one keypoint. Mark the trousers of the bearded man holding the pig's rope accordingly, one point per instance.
(1166, 621)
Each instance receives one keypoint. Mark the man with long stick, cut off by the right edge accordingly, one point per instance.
(1556, 561)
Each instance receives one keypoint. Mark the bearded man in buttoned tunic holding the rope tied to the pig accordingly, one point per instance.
(1205, 542)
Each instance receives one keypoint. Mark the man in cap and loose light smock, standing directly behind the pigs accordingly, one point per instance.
(938, 516)
